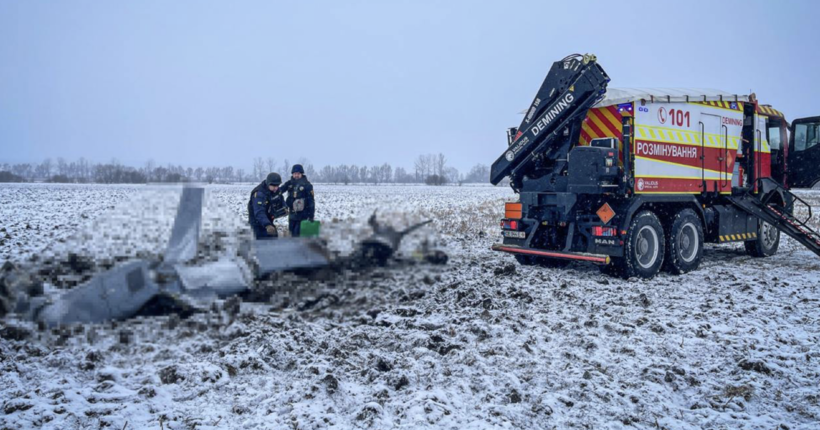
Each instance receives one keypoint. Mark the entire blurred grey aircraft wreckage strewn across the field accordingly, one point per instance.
(125, 290)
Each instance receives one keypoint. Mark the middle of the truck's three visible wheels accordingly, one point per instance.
(684, 247)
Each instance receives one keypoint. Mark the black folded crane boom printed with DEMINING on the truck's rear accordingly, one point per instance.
(571, 87)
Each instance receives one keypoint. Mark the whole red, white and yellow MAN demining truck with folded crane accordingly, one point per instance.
(637, 180)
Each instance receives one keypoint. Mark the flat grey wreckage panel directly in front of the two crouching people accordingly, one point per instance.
(287, 254)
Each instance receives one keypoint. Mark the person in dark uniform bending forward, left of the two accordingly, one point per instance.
(265, 205)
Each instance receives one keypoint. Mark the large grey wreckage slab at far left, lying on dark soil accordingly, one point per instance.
(115, 294)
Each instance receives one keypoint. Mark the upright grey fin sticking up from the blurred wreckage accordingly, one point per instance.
(185, 234)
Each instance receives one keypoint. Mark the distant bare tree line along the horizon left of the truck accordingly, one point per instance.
(430, 169)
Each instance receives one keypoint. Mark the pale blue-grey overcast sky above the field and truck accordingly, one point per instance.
(202, 83)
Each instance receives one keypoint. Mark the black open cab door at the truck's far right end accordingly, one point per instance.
(803, 159)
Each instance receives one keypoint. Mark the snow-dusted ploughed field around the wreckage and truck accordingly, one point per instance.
(477, 343)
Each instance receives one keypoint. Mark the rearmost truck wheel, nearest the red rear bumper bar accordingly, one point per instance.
(644, 250)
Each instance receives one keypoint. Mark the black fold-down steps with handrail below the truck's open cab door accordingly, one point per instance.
(780, 219)
